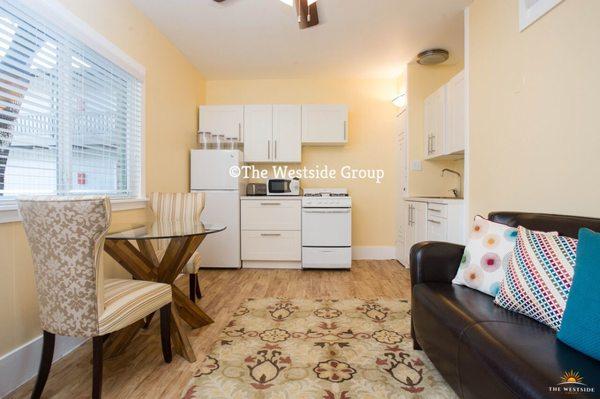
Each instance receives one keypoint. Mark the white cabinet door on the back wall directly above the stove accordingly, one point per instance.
(324, 124)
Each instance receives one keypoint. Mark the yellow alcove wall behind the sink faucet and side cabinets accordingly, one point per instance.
(421, 82)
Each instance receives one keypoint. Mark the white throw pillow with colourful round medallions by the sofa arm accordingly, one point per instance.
(486, 256)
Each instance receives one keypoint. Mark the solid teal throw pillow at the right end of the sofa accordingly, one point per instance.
(580, 327)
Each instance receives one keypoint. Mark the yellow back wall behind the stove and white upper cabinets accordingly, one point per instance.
(370, 134)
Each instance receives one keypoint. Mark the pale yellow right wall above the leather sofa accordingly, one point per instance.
(534, 99)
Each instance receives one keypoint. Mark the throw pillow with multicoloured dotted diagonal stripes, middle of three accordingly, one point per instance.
(539, 276)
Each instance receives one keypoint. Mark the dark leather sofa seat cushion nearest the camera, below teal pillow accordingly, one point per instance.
(523, 356)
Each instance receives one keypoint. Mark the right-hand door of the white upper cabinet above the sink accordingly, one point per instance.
(455, 122)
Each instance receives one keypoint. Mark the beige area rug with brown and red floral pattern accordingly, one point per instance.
(280, 348)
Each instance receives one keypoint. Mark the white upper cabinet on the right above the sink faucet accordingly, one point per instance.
(444, 119)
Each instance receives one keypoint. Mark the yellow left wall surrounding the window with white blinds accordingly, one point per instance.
(174, 88)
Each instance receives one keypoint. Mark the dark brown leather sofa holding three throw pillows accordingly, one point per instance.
(483, 350)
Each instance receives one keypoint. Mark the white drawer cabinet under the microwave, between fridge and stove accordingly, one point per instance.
(271, 232)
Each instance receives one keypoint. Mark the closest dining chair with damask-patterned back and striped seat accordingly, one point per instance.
(66, 236)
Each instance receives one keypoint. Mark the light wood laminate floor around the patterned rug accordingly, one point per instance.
(140, 371)
